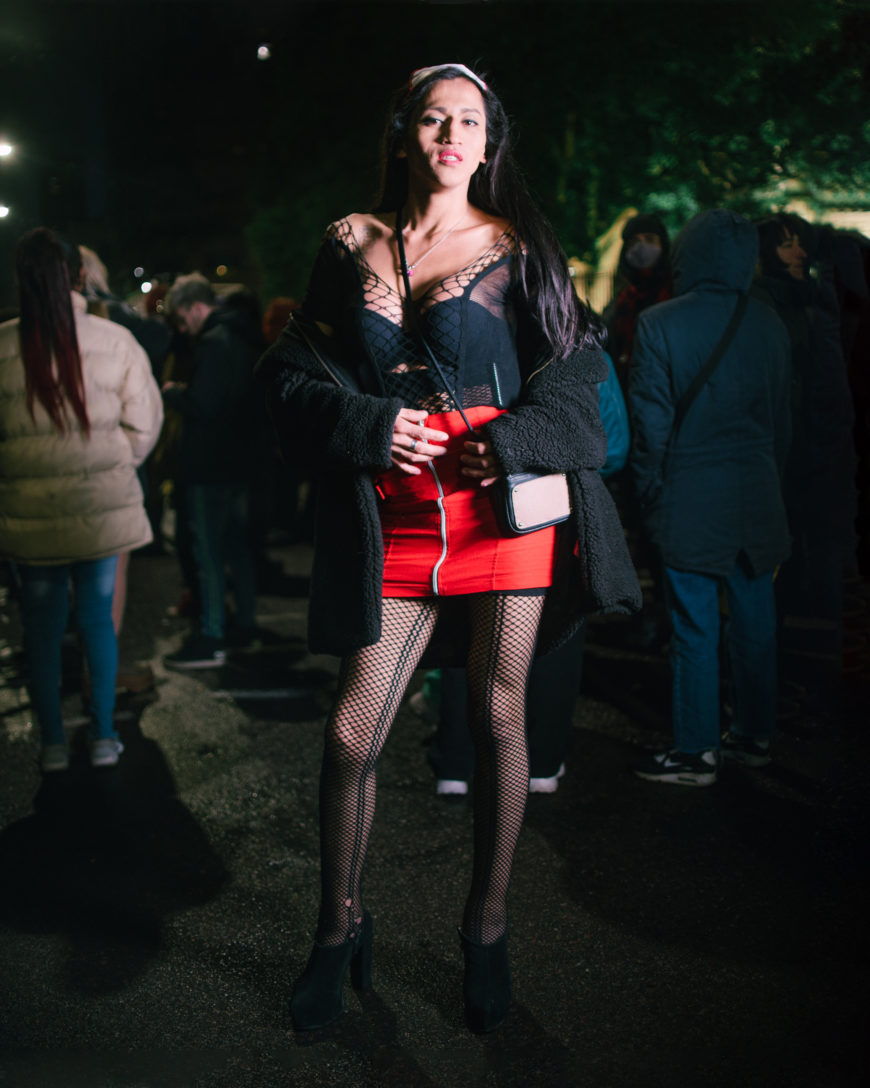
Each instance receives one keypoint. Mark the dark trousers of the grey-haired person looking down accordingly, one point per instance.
(219, 531)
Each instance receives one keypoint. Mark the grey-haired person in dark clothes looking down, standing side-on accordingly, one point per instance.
(220, 414)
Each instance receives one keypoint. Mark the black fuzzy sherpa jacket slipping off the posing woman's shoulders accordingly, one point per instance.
(344, 435)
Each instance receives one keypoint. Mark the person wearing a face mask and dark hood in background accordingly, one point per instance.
(645, 265)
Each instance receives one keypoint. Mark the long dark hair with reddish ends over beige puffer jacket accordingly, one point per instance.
(49, 345)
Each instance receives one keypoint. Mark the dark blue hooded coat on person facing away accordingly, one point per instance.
(716, 492)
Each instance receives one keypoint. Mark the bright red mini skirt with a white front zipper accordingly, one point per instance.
(441, 534)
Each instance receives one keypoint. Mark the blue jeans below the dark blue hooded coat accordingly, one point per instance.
(751, 641)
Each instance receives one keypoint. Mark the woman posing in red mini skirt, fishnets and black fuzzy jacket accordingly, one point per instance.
(407, 536)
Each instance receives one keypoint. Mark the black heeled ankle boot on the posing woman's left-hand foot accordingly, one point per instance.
(318, 997)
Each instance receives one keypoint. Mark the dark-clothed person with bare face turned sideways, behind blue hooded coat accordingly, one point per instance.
(819, 485)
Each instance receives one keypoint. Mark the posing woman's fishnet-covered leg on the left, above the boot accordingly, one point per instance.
(371, 687)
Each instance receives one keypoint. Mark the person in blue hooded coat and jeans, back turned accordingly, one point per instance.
(712, 492)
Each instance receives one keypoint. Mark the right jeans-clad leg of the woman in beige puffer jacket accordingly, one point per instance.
(95, 583)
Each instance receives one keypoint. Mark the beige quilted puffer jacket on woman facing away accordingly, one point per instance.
(67, 498)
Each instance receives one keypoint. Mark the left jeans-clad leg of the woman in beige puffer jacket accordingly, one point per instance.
(45, 608)
